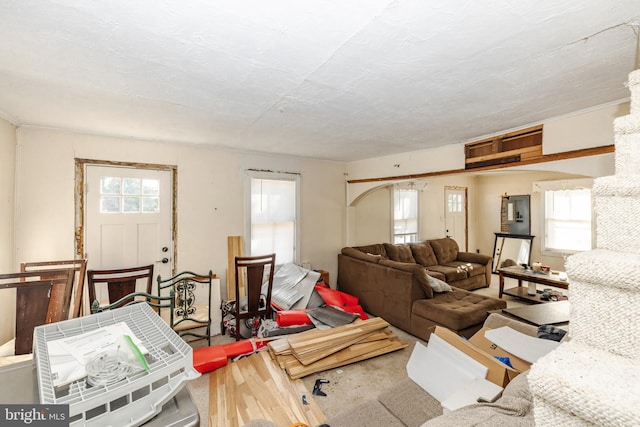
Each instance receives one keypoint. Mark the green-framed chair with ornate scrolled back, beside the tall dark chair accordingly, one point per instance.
(188, 315)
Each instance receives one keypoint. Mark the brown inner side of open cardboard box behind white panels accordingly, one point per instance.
(498, 373)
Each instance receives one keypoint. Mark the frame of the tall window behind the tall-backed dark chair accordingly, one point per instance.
(276, 176)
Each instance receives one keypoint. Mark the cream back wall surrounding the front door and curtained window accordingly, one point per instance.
(210, 197)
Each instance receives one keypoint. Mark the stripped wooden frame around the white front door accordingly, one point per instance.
(80, 199)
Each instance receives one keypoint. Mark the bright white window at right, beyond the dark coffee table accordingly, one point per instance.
(567, 214)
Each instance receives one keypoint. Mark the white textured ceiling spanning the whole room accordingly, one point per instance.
(338, 80)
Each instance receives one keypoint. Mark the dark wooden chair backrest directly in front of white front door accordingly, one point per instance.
(119, 282)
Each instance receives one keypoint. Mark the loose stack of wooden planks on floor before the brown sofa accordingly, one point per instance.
(317, 350)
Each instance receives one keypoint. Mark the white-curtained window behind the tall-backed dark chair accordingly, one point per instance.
(273, 225)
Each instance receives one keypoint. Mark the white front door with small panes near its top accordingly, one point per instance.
(128, 218)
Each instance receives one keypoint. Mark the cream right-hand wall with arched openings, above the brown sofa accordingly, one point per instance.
(584, 130)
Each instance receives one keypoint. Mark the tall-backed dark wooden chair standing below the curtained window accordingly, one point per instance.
(256, 304)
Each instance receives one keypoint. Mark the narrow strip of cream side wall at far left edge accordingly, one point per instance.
(7, 190)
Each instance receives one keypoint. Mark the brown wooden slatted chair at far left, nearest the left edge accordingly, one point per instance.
(41, 297)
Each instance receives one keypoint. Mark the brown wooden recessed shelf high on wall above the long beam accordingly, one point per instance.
(509, 148)
